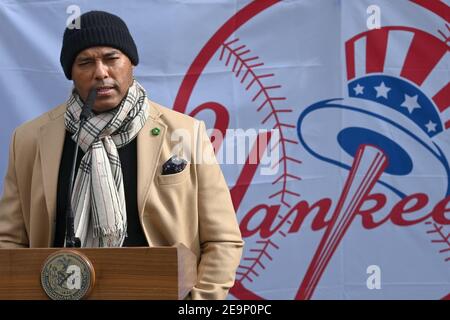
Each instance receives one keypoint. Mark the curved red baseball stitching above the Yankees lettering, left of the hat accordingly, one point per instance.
(247, 66)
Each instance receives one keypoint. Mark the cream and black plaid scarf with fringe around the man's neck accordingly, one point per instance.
(98, 198)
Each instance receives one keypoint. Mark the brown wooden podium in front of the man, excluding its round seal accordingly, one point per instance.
(163, 273)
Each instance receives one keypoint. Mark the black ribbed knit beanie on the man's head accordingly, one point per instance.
(97, 28)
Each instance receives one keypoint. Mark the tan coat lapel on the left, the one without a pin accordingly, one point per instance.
(51, 142)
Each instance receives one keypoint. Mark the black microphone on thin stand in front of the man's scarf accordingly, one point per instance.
(71, 240)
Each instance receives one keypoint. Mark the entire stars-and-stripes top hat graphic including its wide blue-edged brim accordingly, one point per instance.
(398, 100)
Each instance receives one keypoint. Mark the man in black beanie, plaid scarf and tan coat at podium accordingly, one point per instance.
(124, 193)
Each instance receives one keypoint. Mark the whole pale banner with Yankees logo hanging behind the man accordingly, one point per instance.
(330, 120)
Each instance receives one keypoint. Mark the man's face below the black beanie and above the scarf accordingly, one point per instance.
(108, 70)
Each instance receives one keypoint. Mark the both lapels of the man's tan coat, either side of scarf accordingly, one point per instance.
(51, 143)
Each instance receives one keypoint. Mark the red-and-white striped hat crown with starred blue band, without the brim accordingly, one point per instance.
(405, 69)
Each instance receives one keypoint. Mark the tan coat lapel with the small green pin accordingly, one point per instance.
(148, 151)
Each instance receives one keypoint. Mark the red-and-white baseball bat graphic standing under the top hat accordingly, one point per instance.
(368, 165)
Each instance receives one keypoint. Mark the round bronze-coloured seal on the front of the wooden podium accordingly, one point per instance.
(67, 275)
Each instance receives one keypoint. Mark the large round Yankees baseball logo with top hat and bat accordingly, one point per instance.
(362, 172)
